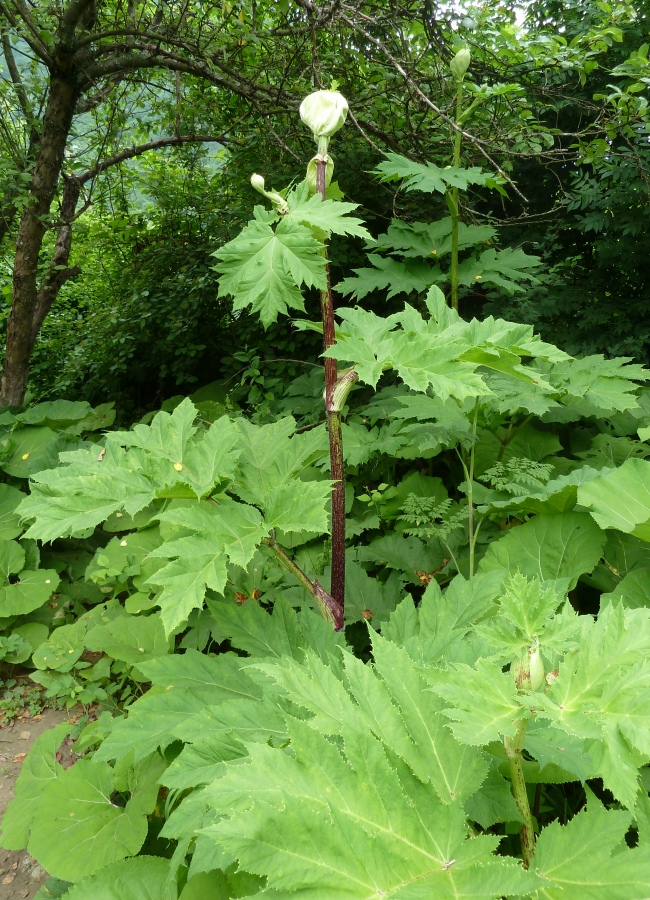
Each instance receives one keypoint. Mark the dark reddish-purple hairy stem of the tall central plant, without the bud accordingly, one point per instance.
(334, 427)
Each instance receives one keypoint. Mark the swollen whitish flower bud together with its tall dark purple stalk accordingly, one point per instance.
(324, 112)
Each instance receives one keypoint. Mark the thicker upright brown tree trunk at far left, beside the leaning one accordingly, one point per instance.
(47, 169)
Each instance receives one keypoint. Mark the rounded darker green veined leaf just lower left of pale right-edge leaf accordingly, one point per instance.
(565, 545)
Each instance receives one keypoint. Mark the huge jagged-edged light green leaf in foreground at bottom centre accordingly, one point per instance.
(332, 822)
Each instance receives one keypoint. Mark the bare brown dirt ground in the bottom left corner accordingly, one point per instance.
(20, 875)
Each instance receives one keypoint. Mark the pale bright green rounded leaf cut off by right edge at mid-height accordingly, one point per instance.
(621, 498)
